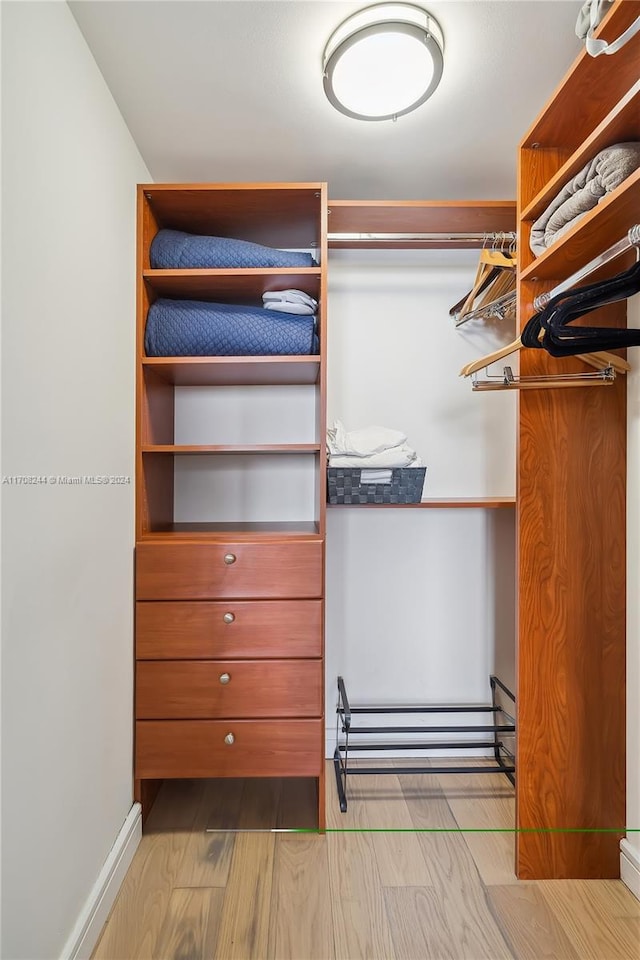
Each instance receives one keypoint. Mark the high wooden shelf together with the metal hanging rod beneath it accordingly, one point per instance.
(371, 224)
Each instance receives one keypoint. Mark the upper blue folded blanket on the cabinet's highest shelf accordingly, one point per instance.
(173, 249)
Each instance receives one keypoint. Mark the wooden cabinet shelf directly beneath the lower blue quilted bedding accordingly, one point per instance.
(235, 371)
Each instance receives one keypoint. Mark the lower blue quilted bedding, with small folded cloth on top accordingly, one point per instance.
(194, 328)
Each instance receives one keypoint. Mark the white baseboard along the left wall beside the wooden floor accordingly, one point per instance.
(84, 935)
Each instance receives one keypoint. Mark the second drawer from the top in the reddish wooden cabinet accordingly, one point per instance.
(204, 630)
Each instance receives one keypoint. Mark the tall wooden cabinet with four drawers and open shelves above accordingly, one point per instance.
(229, 606)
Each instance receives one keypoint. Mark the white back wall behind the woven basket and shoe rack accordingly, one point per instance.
(420, 602)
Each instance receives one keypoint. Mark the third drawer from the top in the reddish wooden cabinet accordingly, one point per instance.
(194, 689)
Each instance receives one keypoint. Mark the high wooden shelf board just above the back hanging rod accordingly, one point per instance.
(418, 216)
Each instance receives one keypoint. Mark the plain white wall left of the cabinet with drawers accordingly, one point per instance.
(69, 173)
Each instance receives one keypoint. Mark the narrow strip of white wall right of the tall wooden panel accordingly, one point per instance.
(631, 847)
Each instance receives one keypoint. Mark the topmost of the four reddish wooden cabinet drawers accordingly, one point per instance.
(209, 571)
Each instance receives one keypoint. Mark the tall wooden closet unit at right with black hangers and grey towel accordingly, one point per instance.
(571, 498)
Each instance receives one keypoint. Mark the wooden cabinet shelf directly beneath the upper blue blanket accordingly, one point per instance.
(237, 286)
